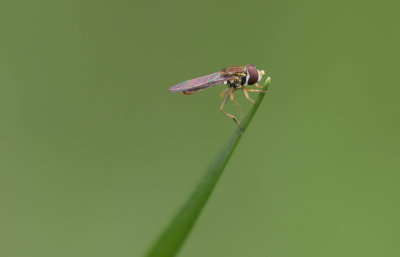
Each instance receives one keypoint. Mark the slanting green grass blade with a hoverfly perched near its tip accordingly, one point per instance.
(172, 238)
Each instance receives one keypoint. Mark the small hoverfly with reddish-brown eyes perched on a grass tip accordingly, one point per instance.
(235, 77)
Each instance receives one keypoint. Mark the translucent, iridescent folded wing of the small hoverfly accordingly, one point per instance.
(200, 83)
